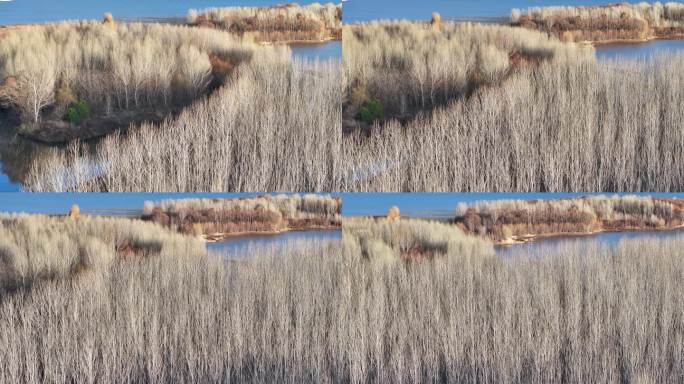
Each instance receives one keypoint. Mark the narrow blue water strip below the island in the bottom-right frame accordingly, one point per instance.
(612, 239)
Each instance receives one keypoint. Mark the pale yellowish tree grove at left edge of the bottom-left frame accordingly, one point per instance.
(36, 248)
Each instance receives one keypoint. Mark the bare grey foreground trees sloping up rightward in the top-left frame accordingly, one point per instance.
(276, 127)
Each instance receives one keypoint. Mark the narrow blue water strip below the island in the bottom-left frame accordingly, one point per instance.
(242, 246)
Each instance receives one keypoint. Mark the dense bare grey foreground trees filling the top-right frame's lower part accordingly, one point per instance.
(607, 126)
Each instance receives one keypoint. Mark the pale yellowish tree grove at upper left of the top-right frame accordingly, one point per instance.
(411, 66)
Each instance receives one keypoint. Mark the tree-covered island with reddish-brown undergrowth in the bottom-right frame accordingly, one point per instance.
(519, 221)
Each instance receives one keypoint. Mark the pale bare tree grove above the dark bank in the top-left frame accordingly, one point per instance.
(112, 66)
